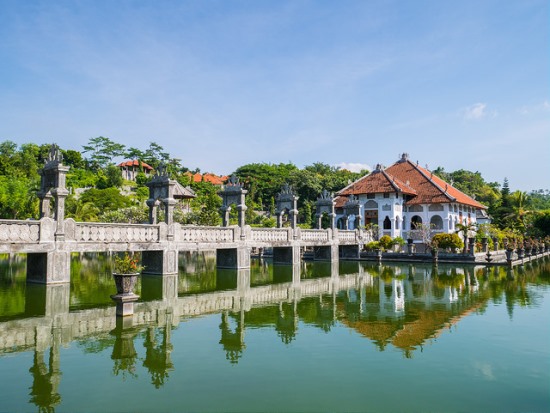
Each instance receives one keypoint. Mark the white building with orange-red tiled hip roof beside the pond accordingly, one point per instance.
(401, 196)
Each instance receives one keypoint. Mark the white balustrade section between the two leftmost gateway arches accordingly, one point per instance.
(101, 232)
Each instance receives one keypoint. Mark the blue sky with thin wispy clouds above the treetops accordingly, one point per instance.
(219, 84)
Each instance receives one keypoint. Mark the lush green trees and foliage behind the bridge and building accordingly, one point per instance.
(99, 194)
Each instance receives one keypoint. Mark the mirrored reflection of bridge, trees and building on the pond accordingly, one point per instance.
(402, 307)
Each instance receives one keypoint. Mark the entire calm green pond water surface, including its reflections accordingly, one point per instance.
(347, 337)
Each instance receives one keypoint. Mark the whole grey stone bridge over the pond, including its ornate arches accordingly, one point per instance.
(49, 241)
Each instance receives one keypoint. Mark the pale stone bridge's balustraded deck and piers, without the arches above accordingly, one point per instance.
(48, 257)
